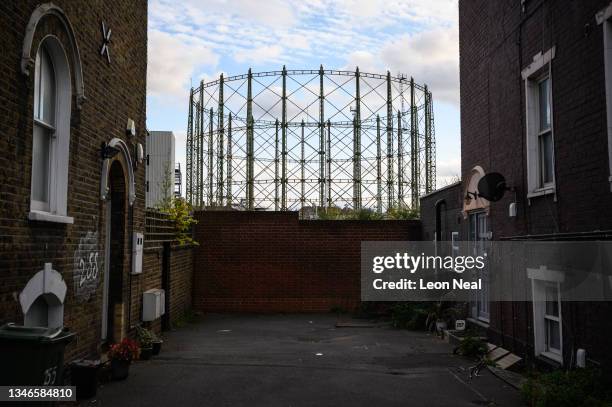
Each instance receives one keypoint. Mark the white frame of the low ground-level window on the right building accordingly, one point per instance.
(540, 279)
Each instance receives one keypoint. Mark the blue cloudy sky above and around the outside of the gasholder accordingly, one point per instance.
(195, 40)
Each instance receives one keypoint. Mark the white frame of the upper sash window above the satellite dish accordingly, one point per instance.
(533, 75)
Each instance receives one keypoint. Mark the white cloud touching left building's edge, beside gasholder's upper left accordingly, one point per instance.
(172, 61)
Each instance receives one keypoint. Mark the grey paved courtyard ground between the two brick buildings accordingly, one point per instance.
(302, 360)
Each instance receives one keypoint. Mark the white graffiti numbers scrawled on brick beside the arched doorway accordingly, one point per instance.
(86, 266)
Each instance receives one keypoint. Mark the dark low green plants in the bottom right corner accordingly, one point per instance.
(561, 388)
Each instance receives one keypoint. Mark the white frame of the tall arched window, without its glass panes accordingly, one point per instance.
(55, 209)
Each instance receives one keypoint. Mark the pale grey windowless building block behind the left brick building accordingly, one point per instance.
(159, 157)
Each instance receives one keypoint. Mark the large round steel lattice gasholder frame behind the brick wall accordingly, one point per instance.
(290, 139)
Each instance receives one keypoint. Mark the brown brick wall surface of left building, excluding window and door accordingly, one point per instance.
(114, 92)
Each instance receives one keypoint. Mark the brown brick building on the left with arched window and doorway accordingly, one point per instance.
(72, 179)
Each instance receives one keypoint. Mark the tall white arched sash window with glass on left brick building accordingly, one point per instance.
(51, 134)
